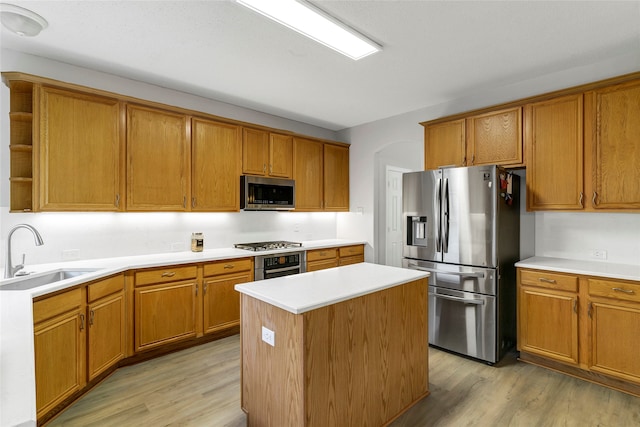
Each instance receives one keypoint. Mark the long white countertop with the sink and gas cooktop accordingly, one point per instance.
(17, 372)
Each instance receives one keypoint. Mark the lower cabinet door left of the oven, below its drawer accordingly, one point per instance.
(222, 301)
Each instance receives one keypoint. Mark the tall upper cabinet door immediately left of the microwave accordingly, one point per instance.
(216, 166)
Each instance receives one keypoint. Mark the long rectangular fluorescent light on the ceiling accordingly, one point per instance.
(315, 24)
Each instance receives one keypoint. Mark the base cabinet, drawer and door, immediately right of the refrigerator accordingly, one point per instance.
(548, 315)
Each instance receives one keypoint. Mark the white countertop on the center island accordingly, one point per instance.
(308, 291)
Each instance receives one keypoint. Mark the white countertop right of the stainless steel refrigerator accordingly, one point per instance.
(587, 268)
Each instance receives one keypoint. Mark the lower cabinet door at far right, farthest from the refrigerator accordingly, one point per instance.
(614, 339)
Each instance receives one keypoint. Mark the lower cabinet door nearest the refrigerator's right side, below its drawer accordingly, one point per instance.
(548, 323)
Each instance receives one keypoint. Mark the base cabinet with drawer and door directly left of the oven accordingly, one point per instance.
(221, 300)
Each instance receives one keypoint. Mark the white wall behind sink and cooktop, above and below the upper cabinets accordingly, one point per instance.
(97, 235)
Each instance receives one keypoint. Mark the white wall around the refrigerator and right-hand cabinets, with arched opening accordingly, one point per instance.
(541, 233)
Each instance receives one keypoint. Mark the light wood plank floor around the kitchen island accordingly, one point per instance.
(201, 387)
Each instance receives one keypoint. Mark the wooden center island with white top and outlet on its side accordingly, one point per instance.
(345, 346)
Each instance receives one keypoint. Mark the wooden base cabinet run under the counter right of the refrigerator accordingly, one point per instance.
(588, 325)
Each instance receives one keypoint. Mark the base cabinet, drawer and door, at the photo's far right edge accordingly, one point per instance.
(614, 322)
